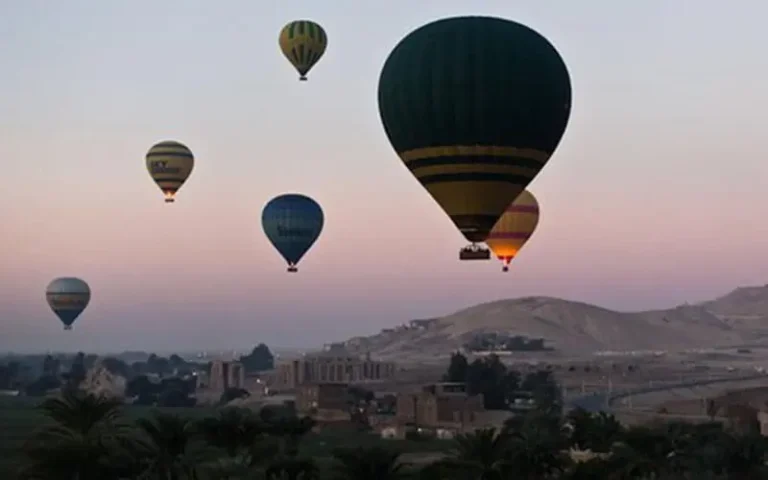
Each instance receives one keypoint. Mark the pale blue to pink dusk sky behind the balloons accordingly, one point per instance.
(656, 196)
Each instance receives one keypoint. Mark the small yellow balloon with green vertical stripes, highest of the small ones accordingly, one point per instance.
(303, 42)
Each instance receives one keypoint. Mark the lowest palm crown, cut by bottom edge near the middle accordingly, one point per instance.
(374, 463)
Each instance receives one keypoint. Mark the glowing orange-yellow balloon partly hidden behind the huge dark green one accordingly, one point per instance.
(514, 228)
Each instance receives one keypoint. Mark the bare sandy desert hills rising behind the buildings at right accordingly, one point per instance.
(578, 328)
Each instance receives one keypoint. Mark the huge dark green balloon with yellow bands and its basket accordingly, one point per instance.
(474, 107)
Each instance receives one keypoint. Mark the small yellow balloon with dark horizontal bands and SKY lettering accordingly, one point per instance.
(170, 164)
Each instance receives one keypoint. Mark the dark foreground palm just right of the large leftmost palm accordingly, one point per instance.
(168, 450)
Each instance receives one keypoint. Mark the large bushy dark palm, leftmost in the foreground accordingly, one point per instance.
(85, 442)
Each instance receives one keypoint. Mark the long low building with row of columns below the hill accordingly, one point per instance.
(332, 365)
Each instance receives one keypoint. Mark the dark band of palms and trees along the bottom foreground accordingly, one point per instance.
(87, 438)
